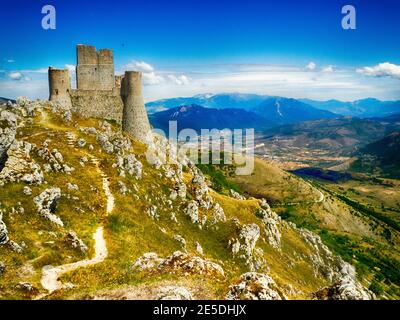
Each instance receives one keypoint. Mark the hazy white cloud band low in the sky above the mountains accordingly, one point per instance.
(299, 81)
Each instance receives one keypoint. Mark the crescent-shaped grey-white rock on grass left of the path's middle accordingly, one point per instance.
(46, 204)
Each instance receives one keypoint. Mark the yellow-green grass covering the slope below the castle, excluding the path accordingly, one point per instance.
(147, 217)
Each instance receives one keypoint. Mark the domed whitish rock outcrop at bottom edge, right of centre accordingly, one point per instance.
(255, 286)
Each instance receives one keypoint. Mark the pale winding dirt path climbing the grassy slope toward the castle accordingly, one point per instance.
(50, 274)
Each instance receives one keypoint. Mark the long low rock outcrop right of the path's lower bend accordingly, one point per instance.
(178, 262)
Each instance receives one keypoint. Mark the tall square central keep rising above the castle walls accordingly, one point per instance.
(95, 70)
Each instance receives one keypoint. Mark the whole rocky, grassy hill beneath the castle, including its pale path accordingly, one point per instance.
(84, 215)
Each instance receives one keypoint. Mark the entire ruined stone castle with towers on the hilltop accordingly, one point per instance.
(101, 94)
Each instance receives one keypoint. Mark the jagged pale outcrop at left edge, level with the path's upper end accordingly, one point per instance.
(20, 166)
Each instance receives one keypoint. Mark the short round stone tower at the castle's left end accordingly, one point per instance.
(60, 87)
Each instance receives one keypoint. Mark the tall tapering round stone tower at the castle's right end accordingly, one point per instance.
(134, 118)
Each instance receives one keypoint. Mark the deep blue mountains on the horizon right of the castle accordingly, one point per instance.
(269, 112)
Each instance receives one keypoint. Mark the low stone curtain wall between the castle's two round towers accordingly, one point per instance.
(98, 104)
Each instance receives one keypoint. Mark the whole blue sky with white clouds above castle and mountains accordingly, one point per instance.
(289, 48)
